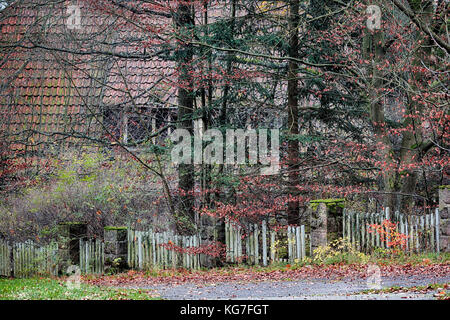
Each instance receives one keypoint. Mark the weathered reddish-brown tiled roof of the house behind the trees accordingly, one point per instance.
(44, 91)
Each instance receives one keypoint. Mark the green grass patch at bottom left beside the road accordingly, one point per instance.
(57, 289)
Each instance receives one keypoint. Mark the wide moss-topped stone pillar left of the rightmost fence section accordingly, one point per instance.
(325, 221)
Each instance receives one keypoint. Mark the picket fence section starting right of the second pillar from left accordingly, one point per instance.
(149, 249)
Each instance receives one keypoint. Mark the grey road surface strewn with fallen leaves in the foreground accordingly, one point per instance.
(295, 290)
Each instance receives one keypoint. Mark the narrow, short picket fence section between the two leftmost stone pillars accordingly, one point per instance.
(92, 256)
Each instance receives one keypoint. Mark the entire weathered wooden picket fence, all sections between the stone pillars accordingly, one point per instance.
(253, 244)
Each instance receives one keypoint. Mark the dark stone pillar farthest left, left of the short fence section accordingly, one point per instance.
(70, 234)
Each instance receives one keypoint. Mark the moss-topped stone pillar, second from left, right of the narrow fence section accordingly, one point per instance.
(116, 248)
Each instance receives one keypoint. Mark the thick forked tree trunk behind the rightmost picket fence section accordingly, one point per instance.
(399, 187)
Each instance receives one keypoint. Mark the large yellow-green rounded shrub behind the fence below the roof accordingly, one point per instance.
(88, 186)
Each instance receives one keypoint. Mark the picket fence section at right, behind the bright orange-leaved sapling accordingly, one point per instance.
(422, 230)
